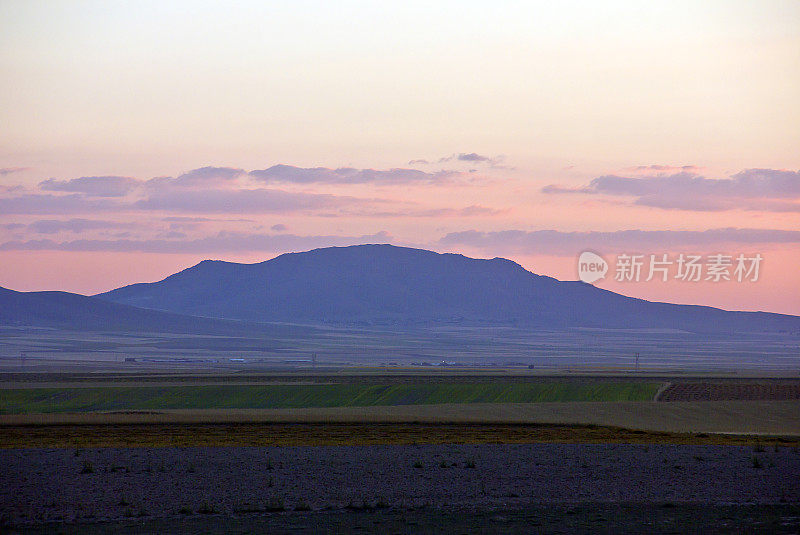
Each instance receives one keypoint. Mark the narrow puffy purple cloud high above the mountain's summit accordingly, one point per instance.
(347, 175)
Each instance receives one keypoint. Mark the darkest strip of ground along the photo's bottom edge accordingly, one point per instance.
(630, 518)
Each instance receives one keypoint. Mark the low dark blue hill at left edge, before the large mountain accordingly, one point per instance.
(63, 310)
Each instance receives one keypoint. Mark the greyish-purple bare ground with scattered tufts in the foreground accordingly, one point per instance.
(95, 486)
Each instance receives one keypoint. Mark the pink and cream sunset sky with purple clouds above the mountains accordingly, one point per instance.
(138, 138)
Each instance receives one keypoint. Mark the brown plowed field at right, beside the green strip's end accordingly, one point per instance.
(744, 391)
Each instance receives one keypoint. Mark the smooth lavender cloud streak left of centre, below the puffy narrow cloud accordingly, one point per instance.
(242, 201)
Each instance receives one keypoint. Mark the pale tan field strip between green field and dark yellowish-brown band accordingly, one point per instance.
(780, 418)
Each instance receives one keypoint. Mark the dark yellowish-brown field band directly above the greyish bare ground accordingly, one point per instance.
(332, 434)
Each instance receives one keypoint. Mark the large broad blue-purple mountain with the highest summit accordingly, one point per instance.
(388, 285)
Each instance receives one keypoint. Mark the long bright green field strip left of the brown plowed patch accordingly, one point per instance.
(50, 400)
